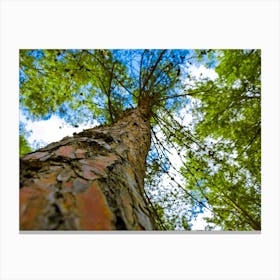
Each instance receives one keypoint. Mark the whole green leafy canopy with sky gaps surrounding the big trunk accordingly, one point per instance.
(210, 163)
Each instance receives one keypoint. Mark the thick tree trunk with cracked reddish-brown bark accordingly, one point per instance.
(91, 181)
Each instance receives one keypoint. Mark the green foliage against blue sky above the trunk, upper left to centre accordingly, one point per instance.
(95, 83)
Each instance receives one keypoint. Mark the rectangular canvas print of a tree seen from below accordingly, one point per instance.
(140, 140)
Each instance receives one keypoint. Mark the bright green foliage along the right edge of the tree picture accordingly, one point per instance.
(226, 170)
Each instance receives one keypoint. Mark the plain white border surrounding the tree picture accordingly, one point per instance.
(116, 24)
